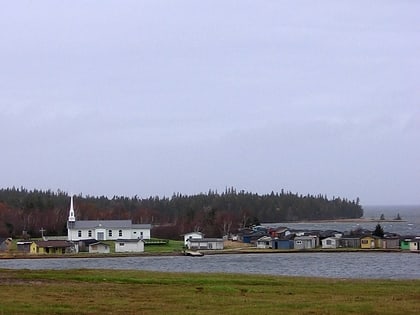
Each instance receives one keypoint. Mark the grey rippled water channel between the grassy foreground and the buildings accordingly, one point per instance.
(331, 265)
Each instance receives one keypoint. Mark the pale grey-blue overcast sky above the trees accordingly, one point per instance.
(155, 97)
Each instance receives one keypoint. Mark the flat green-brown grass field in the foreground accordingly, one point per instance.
(139, 292)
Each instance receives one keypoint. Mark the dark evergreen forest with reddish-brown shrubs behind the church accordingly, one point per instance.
(213, 213)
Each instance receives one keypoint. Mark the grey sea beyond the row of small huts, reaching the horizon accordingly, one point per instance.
(408, 226)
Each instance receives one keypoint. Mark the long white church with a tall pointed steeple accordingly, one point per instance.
(103, 230)
